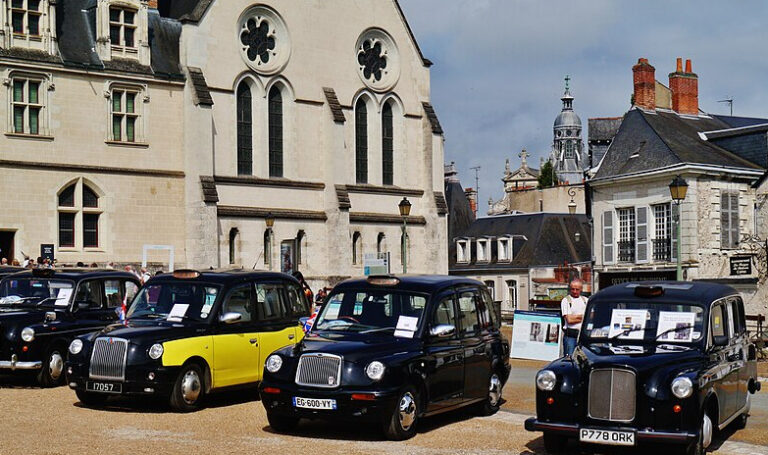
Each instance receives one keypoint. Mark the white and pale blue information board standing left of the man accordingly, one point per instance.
(536, 336)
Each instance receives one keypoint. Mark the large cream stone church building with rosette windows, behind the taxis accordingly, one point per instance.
(189, 124)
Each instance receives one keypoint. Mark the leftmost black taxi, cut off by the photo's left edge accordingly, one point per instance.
(43, 310)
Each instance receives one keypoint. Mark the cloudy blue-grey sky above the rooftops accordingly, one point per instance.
(499, 67)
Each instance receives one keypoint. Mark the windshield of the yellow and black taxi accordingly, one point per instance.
(174, 302)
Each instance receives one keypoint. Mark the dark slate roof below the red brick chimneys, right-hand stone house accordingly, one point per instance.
(662, 139)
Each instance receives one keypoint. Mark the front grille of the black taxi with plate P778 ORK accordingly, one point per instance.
(612, 395)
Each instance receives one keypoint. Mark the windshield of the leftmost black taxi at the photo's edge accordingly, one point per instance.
(36, 292)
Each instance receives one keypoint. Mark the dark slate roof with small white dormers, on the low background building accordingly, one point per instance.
(550, 240)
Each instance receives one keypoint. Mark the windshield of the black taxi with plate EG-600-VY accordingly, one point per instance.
(372, 311)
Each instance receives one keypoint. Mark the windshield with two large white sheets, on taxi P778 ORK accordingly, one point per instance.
(658, 322)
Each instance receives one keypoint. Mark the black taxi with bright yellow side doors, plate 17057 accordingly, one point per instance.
(189, 333)
